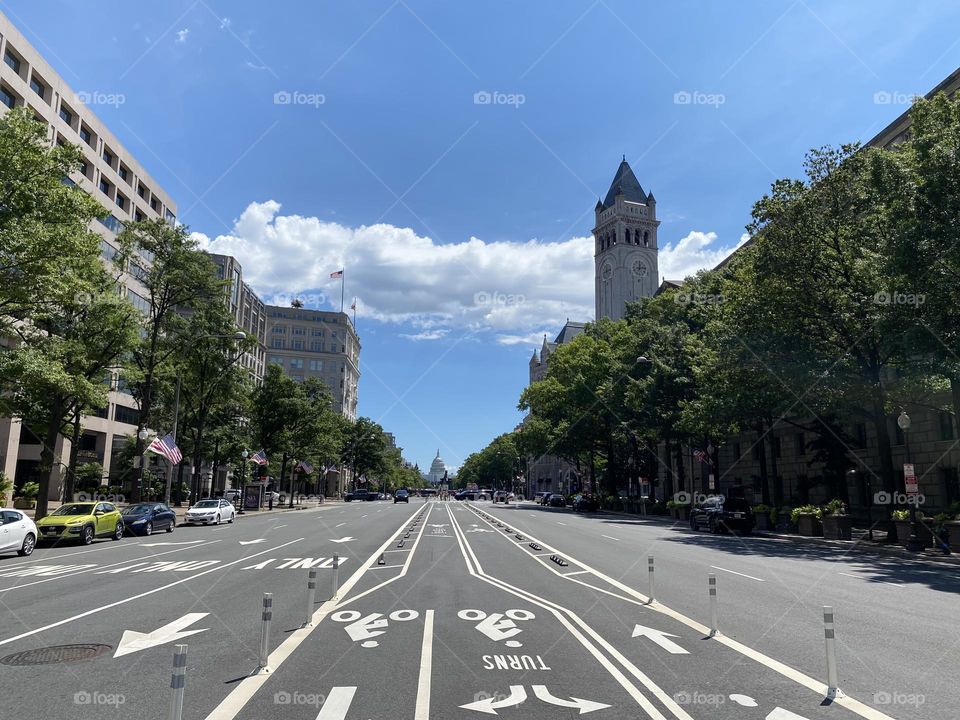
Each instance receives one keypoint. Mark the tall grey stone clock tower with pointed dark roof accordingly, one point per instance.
(625, 245)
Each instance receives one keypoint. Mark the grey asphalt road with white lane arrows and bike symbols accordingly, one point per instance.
(472, 615)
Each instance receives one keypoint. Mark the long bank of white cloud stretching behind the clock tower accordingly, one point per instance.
(514, 290)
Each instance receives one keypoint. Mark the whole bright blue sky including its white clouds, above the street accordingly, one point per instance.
(305, 136)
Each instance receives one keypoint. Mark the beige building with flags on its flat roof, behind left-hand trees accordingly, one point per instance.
(317, 343)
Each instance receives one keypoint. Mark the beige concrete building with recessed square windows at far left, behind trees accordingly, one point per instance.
(114, 178)
